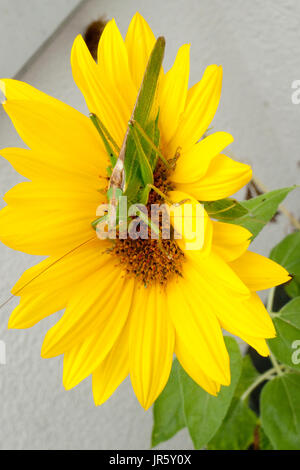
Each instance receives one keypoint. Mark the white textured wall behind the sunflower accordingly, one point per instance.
(258, 44)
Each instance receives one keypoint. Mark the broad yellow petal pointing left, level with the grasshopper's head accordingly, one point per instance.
(46, 219)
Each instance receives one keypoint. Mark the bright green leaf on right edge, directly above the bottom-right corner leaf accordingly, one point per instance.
(287, 343)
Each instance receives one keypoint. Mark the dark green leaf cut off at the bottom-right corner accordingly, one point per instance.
(280, 411)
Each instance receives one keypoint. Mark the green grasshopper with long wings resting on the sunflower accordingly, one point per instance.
(132, 169)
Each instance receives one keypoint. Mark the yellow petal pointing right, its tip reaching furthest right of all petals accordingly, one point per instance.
(259, 272)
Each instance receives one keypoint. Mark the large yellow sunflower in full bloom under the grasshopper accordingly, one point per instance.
(129, 306)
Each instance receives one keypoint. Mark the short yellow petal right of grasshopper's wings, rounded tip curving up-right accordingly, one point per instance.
(192, 165)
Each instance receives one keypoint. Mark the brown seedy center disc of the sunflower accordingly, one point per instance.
(151, 260)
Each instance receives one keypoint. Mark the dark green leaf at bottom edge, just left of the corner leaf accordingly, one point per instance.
(237, 429)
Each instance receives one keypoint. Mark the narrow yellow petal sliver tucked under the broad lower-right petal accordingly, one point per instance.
(192, 368)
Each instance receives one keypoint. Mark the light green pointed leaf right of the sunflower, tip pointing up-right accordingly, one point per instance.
(261, 209)
